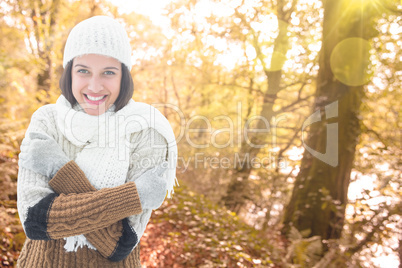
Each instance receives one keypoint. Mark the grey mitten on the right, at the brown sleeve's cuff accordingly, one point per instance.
(151, 187)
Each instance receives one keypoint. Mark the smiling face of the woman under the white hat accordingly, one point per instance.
(96, 82)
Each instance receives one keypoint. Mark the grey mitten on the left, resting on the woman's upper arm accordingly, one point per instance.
(41, 154)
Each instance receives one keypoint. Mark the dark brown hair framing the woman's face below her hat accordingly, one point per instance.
(126, 86)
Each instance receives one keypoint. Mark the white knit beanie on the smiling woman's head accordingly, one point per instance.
(98, 35)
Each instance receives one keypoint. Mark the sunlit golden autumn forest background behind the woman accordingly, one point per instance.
(286, 112)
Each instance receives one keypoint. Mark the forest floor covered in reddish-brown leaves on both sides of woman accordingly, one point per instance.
(187, 231)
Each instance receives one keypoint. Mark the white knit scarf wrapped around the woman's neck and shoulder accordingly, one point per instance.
(105, 140)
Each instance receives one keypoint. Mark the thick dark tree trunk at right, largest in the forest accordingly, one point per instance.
(319, 197)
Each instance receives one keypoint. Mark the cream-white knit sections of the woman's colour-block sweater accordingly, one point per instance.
(33, 187)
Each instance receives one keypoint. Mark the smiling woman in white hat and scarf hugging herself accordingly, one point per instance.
(95, 164)
